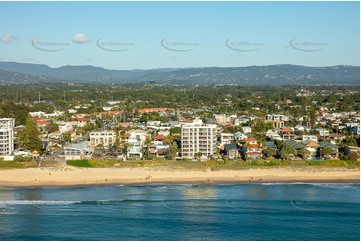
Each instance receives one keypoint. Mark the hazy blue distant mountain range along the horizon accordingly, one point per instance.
(12, 72)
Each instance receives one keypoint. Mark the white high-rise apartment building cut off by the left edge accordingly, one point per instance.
(7, 136)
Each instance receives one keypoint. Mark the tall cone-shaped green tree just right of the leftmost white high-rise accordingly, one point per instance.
(29, 136)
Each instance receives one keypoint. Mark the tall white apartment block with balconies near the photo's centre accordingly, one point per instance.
(198, 138)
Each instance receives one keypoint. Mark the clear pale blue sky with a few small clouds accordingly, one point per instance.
(146, 35)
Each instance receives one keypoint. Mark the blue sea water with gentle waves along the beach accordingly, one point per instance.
(182, 212)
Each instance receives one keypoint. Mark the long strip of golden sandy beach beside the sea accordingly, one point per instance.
(71, 176)
